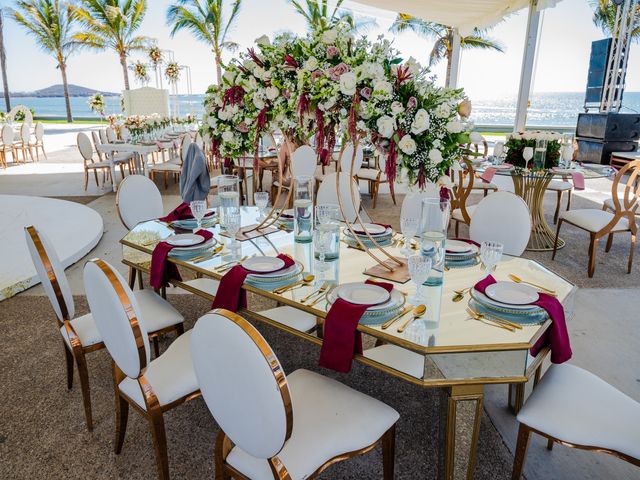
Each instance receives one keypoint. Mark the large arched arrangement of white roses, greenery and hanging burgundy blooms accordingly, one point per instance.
(330, 85)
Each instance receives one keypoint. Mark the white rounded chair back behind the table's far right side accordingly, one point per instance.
(502, 217)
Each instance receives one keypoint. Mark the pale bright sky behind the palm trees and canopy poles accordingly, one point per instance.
(563, 55)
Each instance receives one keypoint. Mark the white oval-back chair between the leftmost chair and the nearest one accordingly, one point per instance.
(152, 387)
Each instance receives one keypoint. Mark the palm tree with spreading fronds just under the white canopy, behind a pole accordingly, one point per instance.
(443, 48)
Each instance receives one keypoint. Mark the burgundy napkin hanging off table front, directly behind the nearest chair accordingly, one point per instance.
(341, 337)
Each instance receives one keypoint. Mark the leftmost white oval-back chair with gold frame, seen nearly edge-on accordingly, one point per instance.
(79, 334)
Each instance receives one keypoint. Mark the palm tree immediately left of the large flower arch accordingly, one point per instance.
(205, 20)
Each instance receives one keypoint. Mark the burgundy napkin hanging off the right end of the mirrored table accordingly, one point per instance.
(556, 335)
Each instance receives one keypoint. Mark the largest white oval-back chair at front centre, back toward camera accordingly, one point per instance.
(277, 426)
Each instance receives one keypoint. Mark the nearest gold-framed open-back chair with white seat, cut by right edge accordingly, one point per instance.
(600, 223)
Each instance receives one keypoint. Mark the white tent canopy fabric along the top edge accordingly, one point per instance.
(465, 15)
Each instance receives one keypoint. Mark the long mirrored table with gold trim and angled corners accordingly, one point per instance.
(459, 355)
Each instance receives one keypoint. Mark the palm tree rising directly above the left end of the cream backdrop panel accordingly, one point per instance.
(112, 24)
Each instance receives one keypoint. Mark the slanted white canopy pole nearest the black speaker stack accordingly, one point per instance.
(528, 64)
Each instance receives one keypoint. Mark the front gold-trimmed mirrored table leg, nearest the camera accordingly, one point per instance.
(459, 440)
